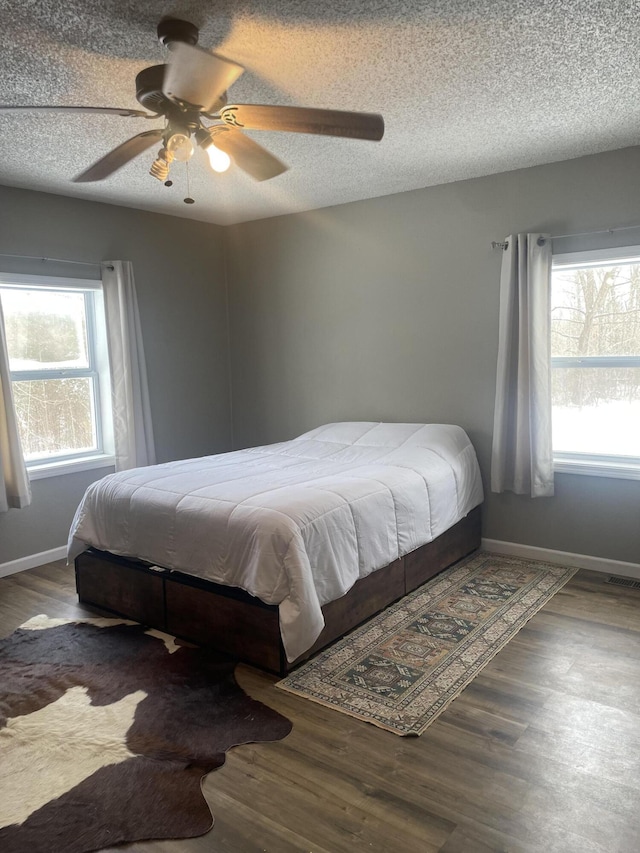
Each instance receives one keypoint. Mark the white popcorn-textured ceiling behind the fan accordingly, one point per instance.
(466, 87)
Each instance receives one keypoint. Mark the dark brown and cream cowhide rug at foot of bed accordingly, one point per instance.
(106, 731)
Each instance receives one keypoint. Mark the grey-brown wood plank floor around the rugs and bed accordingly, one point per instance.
(541, 753)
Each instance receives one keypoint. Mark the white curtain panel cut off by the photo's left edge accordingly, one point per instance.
(15, 490)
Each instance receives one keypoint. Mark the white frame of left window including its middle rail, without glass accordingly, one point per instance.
(97, 370)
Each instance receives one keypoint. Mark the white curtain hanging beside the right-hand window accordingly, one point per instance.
(522, 458)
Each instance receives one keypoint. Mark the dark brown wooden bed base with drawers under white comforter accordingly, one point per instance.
(241, 625)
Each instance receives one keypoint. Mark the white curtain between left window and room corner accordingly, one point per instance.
(133, 434)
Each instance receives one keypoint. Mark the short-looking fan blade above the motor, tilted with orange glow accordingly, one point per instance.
(197, 77)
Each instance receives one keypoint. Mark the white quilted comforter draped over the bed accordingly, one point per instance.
(295, 523)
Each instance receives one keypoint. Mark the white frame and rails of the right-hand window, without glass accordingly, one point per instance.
(593, 464)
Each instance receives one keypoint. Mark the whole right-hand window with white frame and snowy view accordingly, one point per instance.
(595, 363)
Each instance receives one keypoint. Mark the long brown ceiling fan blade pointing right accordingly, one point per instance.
(305, 120)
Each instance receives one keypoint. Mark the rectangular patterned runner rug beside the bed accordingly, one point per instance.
(403, 667)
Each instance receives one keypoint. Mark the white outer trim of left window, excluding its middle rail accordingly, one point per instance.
(38, 469)
